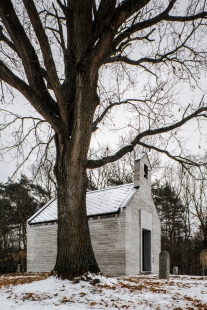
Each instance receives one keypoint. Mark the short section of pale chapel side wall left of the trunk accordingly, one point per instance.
(41, 248)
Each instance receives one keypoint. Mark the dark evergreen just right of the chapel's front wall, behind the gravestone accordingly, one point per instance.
(174, 228)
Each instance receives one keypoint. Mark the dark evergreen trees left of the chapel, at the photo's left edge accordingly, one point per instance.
(18, 201)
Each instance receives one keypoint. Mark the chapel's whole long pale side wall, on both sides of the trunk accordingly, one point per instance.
(107, 237)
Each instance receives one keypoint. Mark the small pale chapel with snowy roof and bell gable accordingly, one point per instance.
(115, 225)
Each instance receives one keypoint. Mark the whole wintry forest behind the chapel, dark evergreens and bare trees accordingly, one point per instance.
(180, 199)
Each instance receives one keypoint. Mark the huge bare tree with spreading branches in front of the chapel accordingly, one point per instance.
(53, 53)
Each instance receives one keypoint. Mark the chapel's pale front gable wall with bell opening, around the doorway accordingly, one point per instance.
(142, 200)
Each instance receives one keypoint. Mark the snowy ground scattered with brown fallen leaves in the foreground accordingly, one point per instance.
(37, 292)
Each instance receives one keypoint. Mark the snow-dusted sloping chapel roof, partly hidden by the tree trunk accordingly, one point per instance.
(108, 200)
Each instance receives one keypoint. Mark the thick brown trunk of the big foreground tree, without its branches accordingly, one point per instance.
(75, 254)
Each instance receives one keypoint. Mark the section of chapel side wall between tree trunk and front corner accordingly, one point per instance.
(108, 241)
